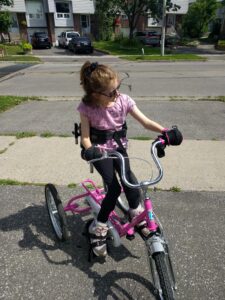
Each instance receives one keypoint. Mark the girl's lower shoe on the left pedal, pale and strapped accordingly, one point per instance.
(97, 234)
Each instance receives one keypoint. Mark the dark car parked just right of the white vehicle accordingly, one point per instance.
(80, 44)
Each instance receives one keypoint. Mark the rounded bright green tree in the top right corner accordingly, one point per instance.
(199, 15)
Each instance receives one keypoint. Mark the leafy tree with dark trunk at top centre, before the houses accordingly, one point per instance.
(134, 9)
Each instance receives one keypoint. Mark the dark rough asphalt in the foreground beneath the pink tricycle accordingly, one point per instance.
(35, 266)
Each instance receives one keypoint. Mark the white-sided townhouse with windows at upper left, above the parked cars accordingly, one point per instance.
(51, 16)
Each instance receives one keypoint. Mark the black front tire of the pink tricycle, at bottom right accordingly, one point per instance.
(164, 279)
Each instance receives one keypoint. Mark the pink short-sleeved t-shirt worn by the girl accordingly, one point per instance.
(109, 118)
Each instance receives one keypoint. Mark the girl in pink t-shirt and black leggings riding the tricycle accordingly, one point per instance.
(103, 112)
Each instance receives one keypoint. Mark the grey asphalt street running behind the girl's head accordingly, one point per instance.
(146, 80)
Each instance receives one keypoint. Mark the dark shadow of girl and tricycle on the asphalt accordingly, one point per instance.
(76, 250)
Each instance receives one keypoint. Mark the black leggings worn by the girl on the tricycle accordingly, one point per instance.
(107, 168)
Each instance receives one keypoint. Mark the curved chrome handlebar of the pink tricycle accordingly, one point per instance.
(145, 183)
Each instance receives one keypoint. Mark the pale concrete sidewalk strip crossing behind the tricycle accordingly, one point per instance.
(195, 165)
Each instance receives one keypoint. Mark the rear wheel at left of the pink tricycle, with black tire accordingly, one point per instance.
(56, 213)
